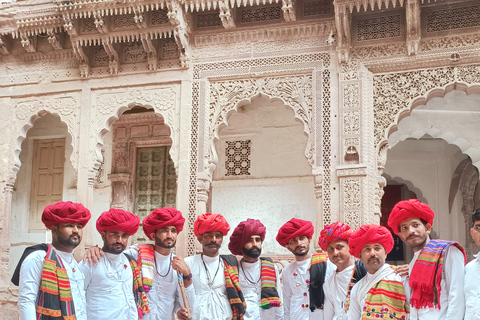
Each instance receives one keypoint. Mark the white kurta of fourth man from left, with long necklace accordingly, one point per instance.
(211, 299)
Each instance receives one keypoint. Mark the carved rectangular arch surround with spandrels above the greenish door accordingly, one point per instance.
(110, 104)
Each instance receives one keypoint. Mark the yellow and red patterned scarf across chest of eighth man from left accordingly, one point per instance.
(386, 300)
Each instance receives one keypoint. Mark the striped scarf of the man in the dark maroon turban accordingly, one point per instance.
(269, 294)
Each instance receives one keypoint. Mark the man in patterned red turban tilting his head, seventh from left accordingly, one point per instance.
(334, 240)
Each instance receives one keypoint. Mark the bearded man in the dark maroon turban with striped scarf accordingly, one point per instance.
(258, 277)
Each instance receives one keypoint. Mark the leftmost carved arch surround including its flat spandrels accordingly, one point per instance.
(27, 111)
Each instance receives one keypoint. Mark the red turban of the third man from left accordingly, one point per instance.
(161, 218)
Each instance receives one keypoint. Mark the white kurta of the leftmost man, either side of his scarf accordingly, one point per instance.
(31, 277)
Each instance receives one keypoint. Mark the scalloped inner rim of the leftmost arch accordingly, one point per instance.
(23, 134)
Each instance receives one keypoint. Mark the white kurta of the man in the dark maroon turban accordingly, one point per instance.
(248, 273)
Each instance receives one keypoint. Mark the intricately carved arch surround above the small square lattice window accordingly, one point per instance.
(295, 91)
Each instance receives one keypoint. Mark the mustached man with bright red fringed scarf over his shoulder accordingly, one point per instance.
(437, 280)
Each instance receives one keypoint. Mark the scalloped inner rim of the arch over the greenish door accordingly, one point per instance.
(117, 114)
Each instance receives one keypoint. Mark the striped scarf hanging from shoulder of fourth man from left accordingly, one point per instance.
(234, 293)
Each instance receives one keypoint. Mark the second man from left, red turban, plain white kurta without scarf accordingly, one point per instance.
(113, 270)
